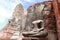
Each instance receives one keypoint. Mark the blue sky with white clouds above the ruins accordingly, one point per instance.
(7, 8)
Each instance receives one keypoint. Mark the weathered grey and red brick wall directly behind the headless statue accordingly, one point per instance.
(47, 15)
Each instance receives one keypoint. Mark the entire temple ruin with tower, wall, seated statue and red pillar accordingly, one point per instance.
(40, 22)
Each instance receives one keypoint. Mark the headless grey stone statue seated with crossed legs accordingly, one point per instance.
(38, 30)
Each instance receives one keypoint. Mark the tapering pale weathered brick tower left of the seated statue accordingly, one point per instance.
(12, 29)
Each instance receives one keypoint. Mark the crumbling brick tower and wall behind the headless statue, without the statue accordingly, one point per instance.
(15, 27)
